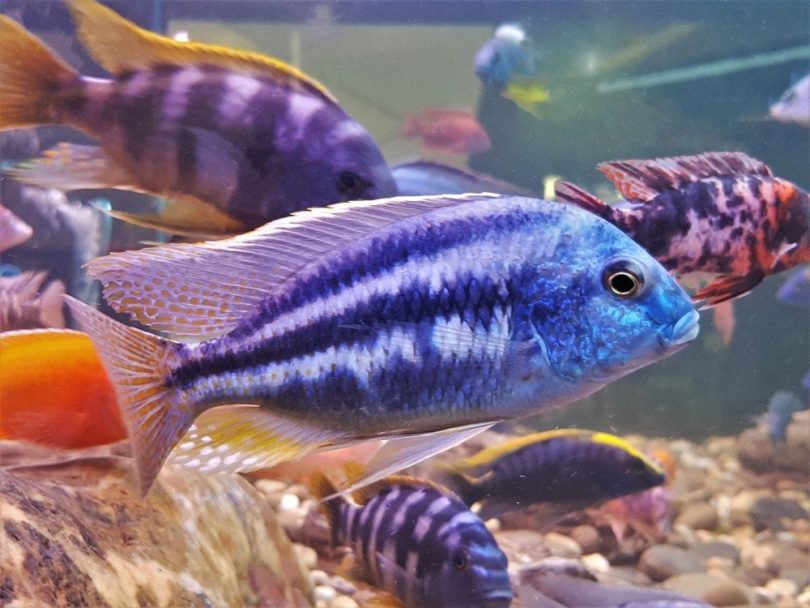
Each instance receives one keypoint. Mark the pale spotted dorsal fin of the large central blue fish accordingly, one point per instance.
(204, 289)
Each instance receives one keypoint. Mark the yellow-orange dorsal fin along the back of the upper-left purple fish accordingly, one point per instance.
(120, 46)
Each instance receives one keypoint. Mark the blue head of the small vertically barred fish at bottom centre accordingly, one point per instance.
(463, 565)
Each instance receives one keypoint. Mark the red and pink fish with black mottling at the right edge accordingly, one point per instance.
(720, 212)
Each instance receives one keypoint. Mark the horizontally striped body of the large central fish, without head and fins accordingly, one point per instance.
(424, 321)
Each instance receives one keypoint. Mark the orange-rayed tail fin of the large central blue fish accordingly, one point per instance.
(137, 362)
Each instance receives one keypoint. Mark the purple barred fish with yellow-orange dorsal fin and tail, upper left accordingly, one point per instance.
(233, 138)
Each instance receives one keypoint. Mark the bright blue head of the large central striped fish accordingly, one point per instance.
(605, 307)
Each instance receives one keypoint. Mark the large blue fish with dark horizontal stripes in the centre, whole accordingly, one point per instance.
(420, 320)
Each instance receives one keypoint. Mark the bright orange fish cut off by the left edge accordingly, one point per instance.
(55, 392)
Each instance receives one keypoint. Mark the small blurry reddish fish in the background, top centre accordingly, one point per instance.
(447, 130)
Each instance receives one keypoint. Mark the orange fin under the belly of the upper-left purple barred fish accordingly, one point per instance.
(187, 217)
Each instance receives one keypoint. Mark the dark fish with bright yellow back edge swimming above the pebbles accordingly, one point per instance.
(563, 470)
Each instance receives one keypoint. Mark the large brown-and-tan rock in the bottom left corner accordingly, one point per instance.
(78, 535)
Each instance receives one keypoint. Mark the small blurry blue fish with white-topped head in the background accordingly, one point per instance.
(508, 55)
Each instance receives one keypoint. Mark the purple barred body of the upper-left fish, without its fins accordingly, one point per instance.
(255, 149)
